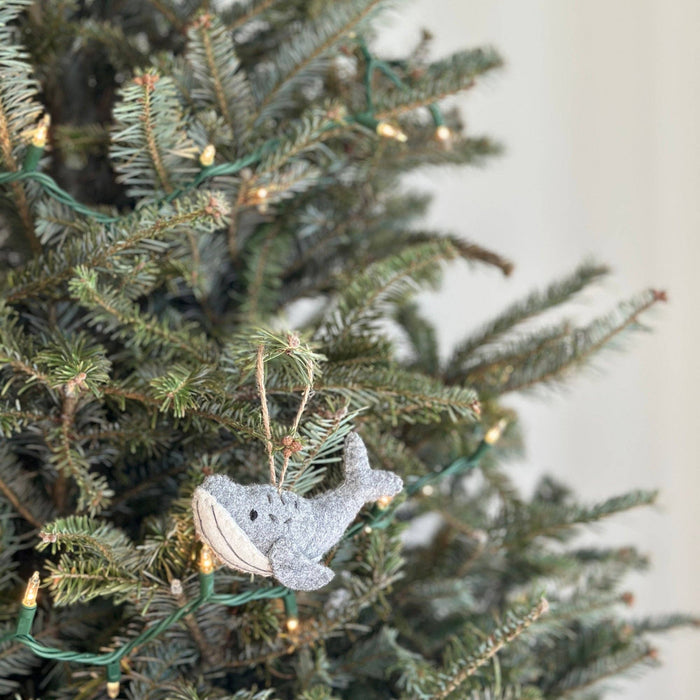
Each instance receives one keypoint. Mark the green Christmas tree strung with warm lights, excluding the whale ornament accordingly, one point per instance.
(210, 267)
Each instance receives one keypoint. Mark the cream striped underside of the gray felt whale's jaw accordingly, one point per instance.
(222, 533)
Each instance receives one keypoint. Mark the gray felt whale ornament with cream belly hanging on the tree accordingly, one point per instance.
(261, 530)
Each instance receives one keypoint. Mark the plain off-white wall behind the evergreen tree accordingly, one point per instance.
(599, 108)
